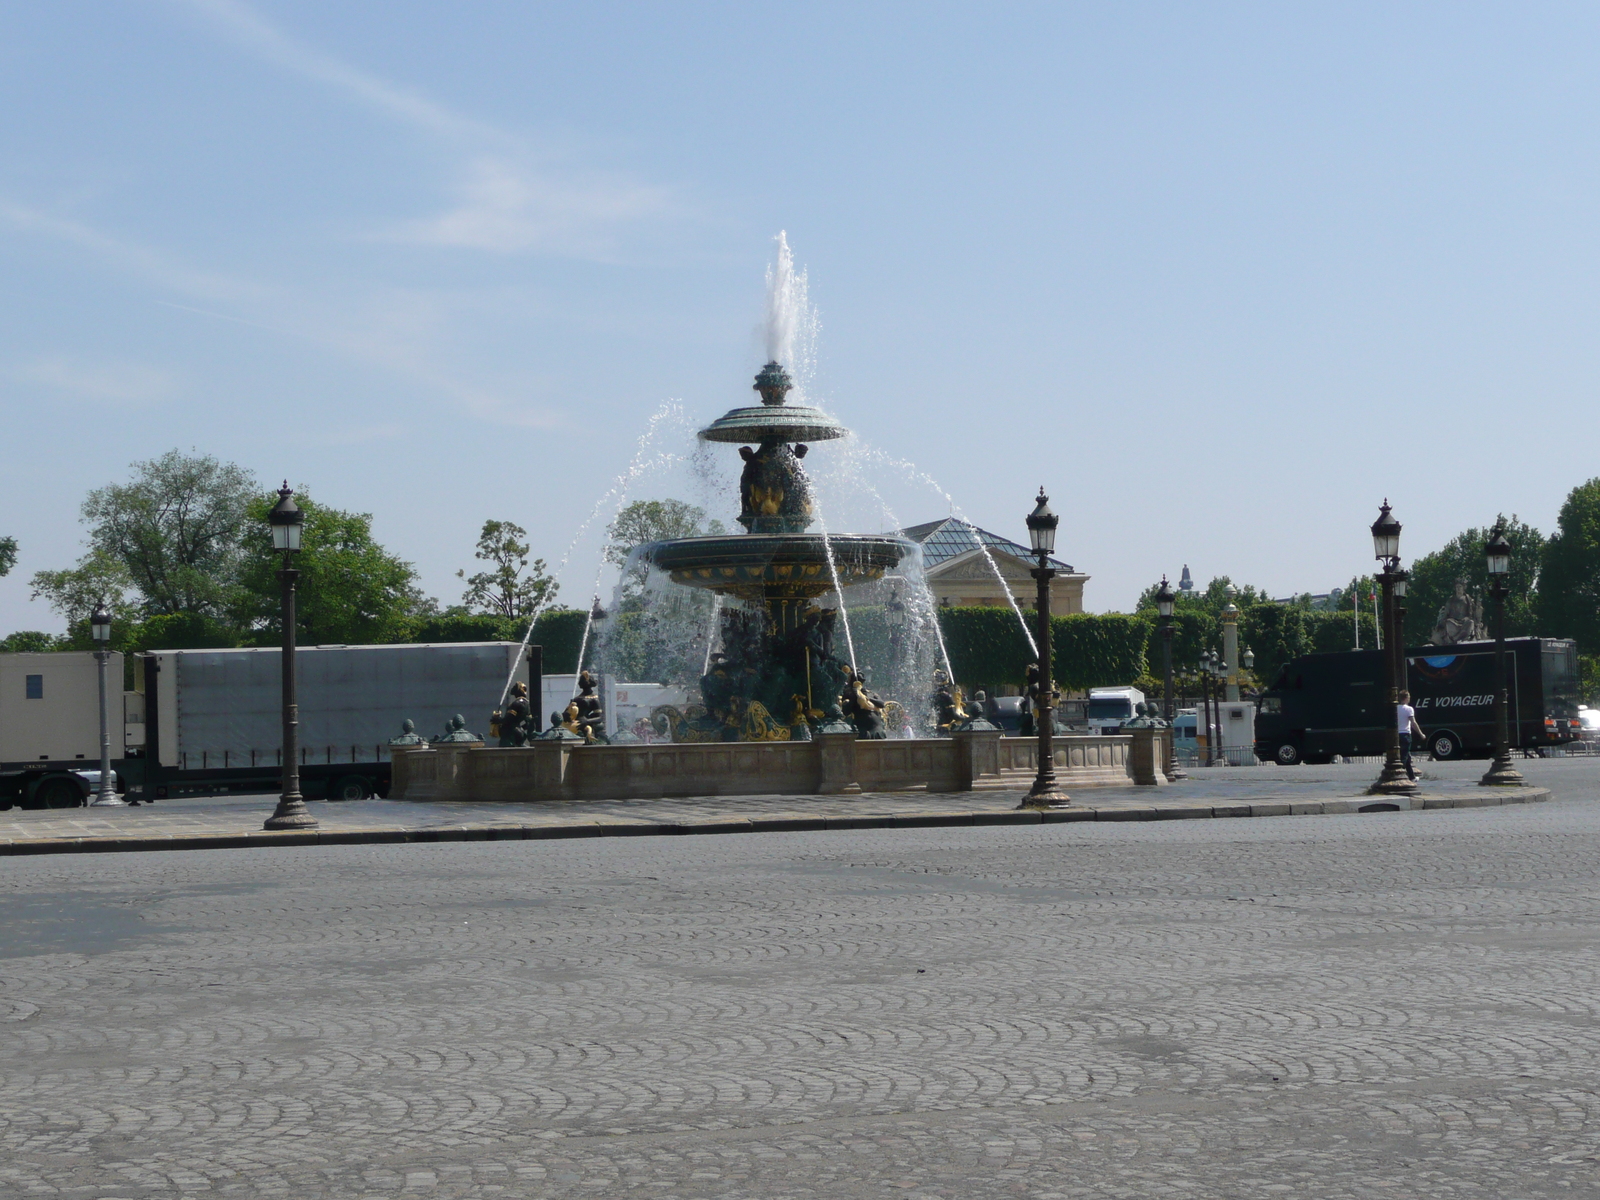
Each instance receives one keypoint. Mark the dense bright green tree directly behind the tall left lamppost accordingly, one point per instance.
(351, 590)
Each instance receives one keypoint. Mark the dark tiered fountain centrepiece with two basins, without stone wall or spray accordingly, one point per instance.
(778, 676)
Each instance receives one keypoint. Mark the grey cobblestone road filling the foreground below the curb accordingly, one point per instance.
(1394, 1006)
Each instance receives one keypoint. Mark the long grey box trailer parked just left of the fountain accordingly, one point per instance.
(215, 718)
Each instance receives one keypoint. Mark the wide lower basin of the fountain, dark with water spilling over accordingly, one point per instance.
(778, 566)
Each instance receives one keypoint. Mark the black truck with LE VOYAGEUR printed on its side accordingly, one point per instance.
(1322, 706)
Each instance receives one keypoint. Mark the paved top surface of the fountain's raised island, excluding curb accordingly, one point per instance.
(1266, 788)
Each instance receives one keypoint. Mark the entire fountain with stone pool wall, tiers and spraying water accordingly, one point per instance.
(783, 708)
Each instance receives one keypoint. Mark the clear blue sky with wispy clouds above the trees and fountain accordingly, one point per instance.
(1222, 278)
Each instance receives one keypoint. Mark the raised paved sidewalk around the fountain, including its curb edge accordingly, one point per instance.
(236, 822)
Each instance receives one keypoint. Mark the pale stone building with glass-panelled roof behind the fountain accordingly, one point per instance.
(959, 574)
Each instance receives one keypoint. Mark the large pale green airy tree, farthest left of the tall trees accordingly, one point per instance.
(177, 529)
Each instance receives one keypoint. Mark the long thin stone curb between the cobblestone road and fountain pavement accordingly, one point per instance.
(756, 825)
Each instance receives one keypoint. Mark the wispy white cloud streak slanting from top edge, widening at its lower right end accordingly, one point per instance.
(510, 198)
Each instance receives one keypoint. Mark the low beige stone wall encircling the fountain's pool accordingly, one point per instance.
(831, 764)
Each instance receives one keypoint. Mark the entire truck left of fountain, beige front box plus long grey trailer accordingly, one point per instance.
(210, 722)
